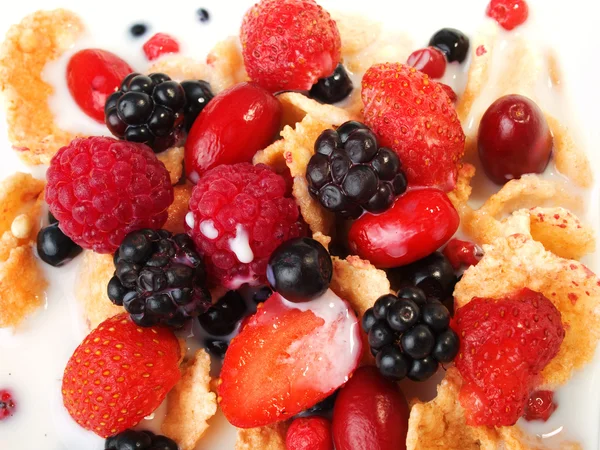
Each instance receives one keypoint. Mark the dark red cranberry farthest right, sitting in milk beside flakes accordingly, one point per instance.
(513, 139)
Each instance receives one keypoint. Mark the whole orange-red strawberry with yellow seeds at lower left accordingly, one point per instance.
(120, 374)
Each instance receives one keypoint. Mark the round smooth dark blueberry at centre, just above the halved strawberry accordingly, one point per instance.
(300, 269)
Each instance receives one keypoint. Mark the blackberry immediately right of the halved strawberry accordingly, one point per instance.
(410, 334)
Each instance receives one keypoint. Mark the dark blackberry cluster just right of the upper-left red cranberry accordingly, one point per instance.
(152, 109)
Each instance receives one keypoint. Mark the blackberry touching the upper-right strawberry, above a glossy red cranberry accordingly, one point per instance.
(349, 173)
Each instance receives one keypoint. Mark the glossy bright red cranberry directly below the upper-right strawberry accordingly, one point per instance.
(417, 224)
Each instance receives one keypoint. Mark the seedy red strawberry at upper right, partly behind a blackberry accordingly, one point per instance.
(414, 116)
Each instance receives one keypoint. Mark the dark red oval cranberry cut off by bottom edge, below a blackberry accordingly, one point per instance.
(370, 413)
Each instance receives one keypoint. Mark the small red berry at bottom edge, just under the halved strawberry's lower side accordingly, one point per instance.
(309, 433)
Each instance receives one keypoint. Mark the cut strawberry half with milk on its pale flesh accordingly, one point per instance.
(288, 358)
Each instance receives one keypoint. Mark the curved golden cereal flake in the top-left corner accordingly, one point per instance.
(40, 38)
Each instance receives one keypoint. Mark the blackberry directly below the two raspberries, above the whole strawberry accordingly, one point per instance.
(159, 278)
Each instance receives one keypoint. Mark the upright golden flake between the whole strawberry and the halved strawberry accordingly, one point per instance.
(191, 403)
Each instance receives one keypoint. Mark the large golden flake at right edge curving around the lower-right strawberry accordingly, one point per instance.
(517, 261)
